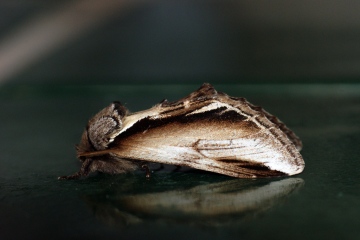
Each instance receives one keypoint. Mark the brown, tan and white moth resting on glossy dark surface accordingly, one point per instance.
(206, 130)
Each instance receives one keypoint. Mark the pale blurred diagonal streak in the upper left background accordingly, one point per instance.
(43, 34)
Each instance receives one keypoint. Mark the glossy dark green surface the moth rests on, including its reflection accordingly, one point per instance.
(41, 124)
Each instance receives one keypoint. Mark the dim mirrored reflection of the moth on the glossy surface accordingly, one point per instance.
(208, 204)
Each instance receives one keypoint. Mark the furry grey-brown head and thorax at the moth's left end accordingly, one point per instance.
(103, 128)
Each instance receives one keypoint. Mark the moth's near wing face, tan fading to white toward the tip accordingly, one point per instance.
(238, 149)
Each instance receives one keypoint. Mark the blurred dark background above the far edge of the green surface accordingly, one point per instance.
(139, 41)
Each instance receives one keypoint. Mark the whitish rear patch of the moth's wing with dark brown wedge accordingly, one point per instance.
(256, 155)
